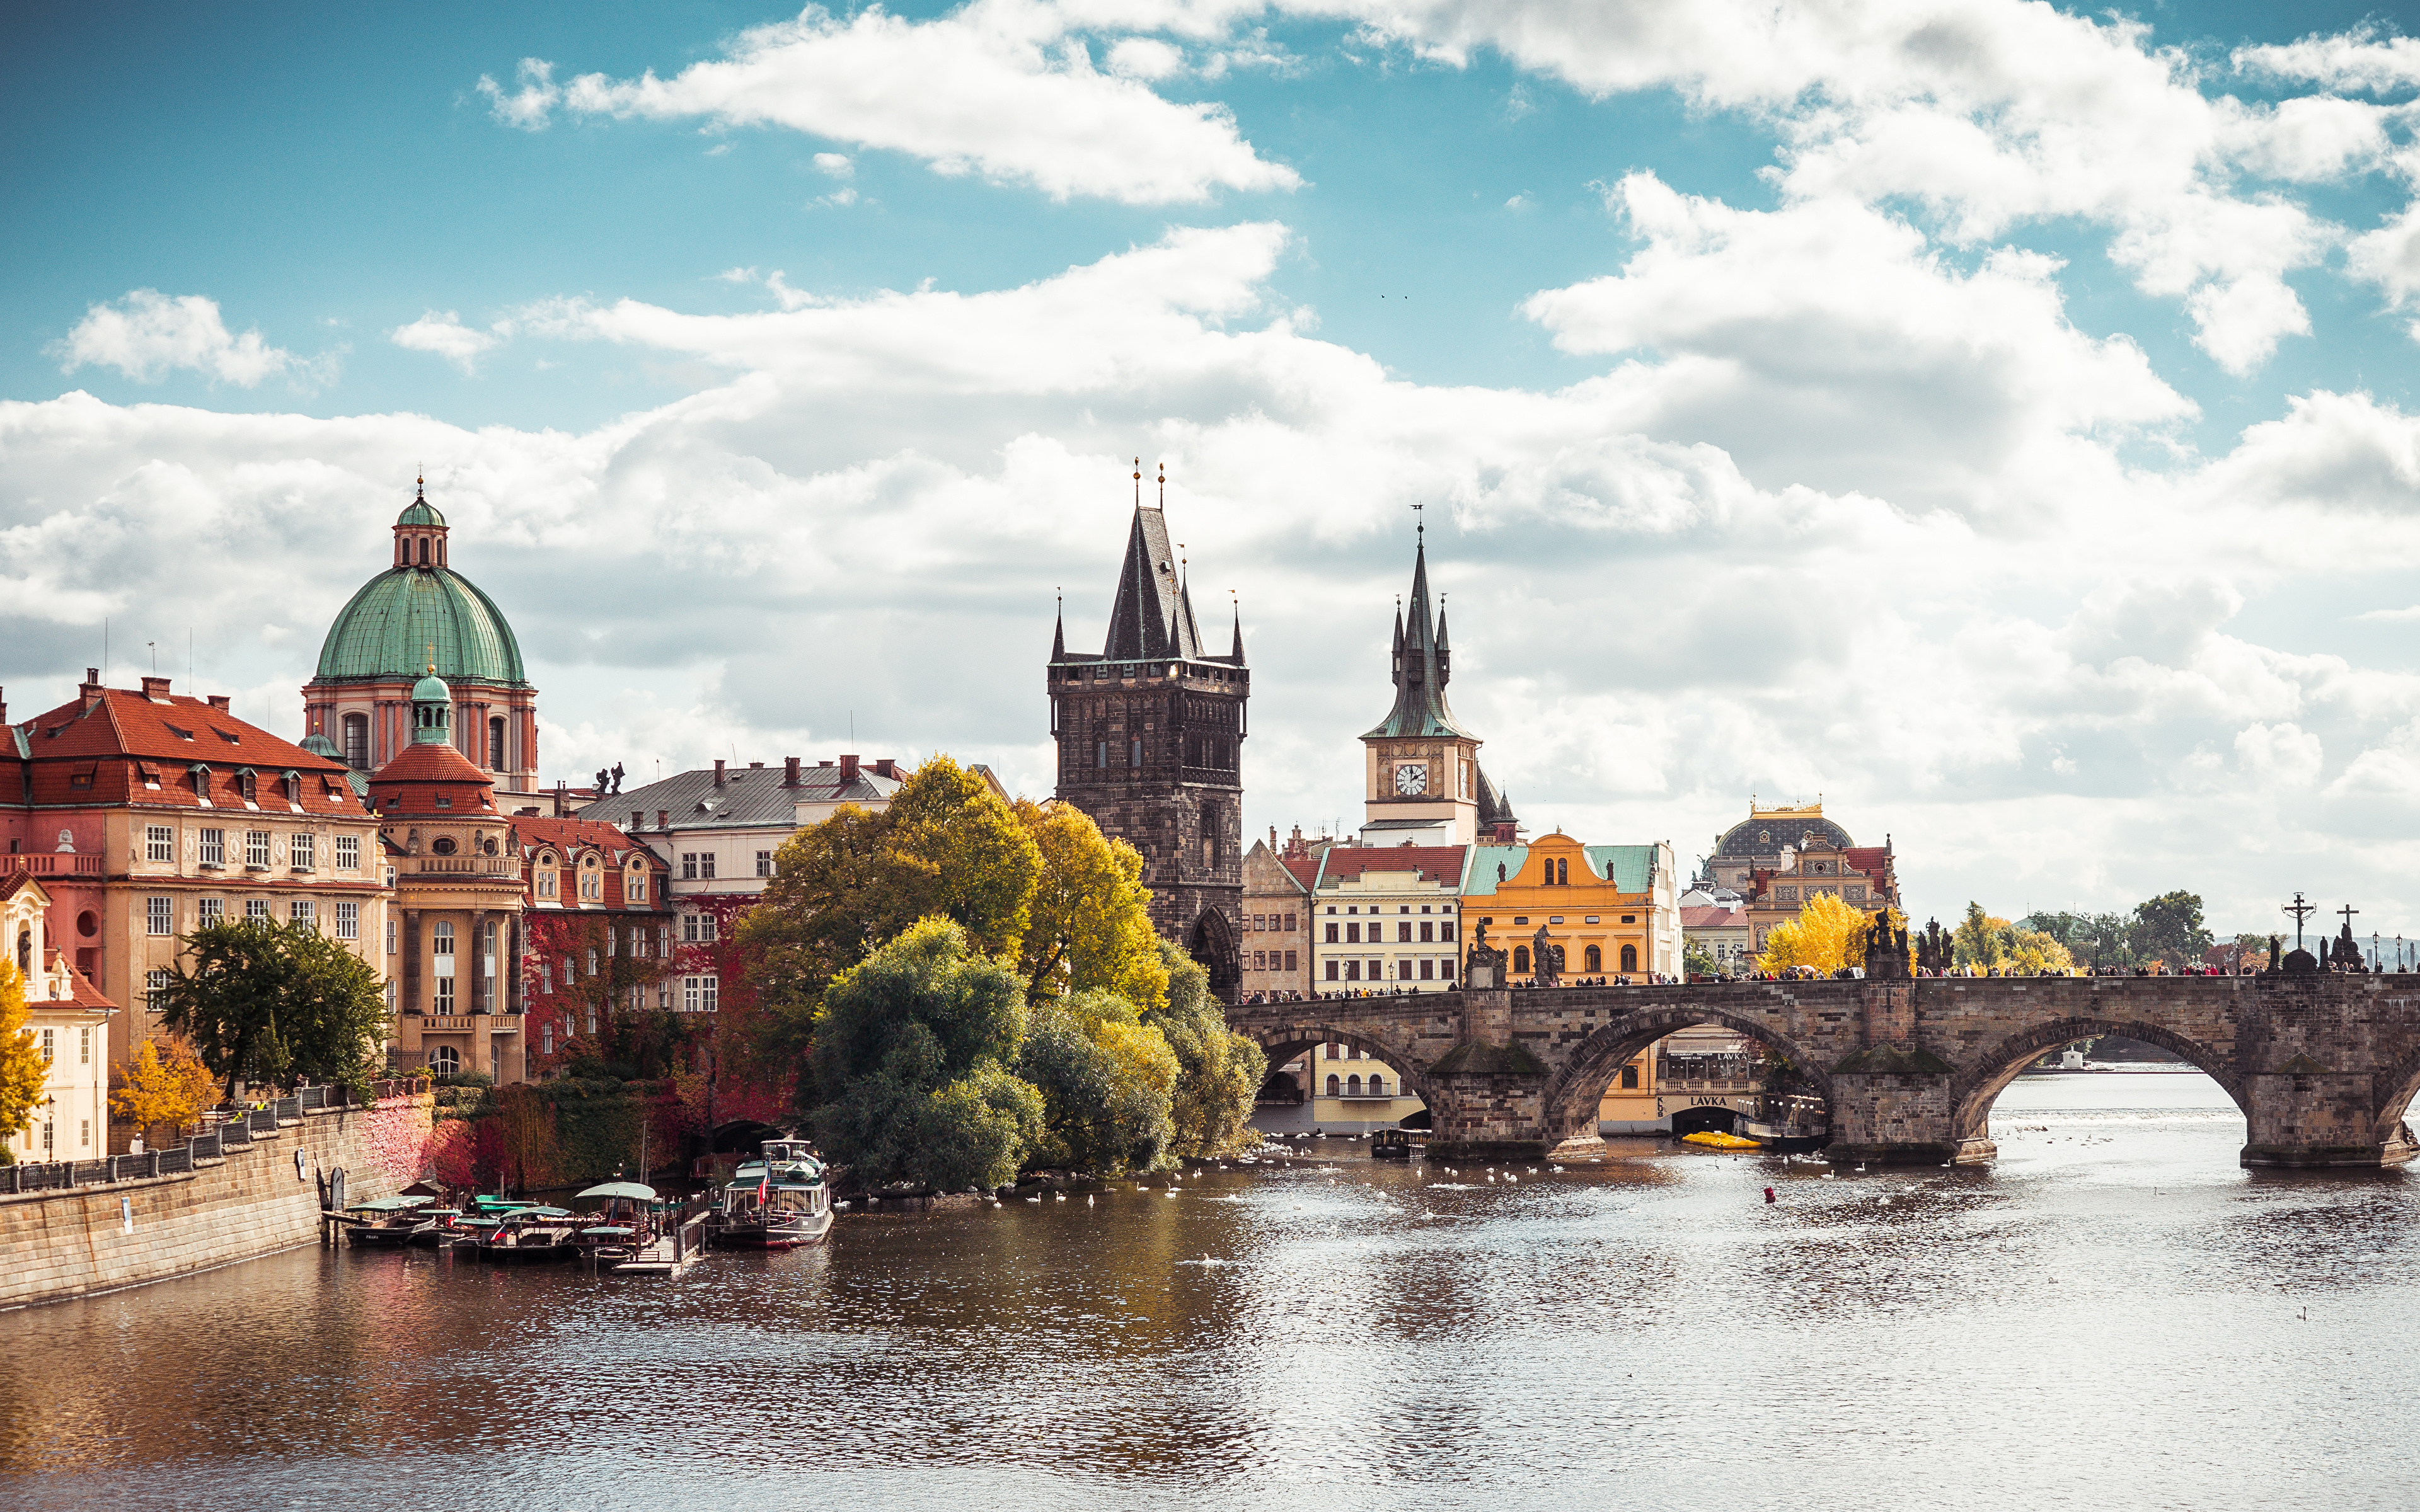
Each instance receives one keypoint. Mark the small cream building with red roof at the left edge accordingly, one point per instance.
(71, 1029)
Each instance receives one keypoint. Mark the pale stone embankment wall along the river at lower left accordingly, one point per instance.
(122, 1235)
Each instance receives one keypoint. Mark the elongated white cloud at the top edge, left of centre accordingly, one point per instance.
(998, 88)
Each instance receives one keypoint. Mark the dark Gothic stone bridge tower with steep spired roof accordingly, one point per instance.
(1151, 744)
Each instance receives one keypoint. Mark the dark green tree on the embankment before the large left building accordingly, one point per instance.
(277, 1003)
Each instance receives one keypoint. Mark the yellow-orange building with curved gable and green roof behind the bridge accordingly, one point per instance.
(1613, 908)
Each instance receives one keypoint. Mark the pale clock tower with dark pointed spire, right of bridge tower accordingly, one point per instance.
(1422, 775)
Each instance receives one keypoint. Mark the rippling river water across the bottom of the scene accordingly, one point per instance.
(2111, 1315)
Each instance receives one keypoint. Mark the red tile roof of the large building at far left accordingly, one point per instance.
(129, 749)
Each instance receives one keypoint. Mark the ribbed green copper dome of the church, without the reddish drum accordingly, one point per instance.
(415, 616)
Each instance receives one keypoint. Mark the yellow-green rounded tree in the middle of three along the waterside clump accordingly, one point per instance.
(1107, 1080)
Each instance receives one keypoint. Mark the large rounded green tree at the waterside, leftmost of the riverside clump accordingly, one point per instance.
(911, 1066)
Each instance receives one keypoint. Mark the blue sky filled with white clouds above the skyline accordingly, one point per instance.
(1995, 420)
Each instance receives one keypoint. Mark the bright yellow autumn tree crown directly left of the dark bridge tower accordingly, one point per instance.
(1090, 918)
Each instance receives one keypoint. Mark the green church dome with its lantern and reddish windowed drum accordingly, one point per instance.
(415, 616)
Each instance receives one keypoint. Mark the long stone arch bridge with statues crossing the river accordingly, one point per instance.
(2320, 1063)
